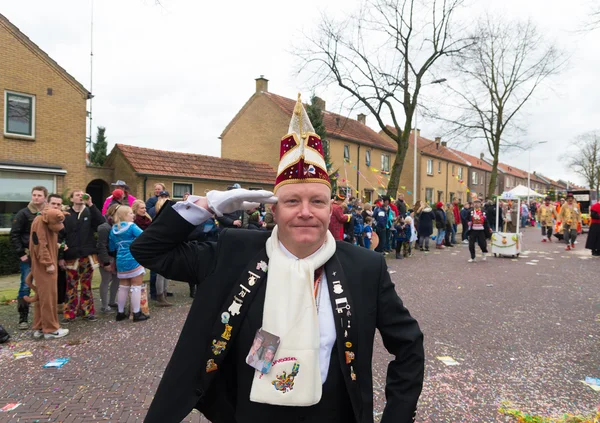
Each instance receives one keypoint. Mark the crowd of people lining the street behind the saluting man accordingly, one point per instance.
(386, 226)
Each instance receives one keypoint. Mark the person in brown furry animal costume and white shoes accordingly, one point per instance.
(43, 247)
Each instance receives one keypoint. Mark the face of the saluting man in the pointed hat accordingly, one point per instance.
(302, 215)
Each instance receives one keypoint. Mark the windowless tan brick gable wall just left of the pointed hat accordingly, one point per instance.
(256, 132)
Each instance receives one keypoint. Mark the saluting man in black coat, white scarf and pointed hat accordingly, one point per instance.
(321, 299)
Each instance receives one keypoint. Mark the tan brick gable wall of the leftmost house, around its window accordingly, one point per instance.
(60, 118)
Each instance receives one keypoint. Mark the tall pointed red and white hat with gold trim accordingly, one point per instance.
(301, 153)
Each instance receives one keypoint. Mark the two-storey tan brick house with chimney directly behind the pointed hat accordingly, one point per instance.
(361, 156)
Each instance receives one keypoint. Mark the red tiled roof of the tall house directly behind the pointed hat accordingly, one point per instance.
(339, 126)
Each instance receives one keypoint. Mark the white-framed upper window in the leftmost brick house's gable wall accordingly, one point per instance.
(20, 114)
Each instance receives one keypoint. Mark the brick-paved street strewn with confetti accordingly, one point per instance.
(524, 330)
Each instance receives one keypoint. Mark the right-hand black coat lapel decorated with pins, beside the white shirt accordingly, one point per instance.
(346, 330)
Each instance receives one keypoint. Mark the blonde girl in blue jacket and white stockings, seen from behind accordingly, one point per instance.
(129, 271)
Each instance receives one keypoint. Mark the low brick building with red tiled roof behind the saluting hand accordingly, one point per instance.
(141, 168)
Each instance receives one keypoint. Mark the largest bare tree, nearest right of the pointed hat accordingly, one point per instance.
(382, 57)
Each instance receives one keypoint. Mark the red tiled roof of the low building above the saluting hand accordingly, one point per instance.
(170, 163)
